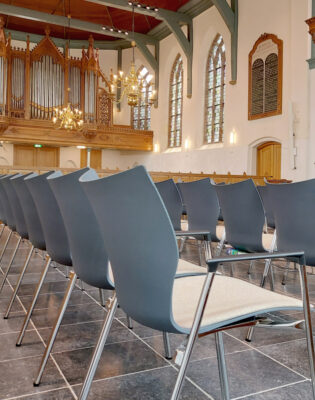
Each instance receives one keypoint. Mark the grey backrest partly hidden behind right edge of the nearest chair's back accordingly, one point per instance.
(172, 200)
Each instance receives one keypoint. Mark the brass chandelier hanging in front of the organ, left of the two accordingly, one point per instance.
(68, 117)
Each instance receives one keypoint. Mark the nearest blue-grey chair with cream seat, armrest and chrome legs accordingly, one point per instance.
(130, 211)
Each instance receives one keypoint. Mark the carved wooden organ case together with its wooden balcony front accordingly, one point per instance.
(34, 82)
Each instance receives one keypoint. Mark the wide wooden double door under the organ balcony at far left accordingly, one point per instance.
(30, 156)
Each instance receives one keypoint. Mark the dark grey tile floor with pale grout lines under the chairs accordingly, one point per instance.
(274, 366)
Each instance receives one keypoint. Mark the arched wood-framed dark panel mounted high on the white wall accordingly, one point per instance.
(265, 77)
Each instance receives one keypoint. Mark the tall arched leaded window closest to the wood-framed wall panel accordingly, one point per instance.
(215, 92)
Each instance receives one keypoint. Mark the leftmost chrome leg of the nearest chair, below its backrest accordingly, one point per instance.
(98, 349)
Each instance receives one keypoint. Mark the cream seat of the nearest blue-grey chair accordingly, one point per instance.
(230, 300)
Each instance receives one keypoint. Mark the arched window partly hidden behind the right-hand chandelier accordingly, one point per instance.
(141, 114)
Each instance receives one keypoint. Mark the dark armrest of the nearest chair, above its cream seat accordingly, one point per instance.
(213, 263)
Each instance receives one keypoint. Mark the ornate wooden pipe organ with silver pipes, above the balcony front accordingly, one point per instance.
(54, 79)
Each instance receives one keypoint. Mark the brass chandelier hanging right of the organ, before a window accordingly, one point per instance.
(132, 85)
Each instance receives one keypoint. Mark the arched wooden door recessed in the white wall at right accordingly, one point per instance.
(269, 160)
